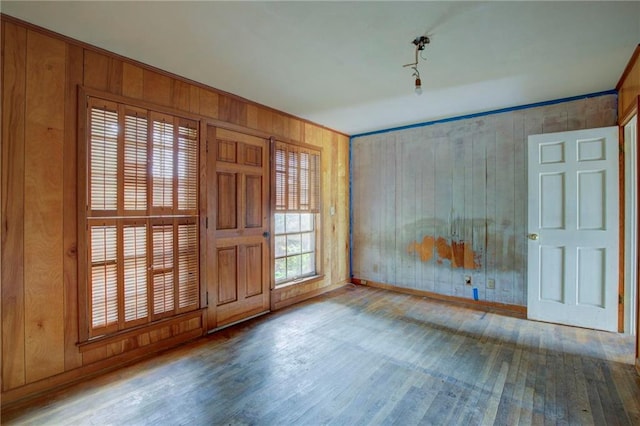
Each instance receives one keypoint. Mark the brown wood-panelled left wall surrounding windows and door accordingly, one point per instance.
(41, 73)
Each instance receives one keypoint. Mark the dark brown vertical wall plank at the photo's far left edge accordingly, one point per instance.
(13, 128)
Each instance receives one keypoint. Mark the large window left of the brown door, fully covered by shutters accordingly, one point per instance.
(142, 216)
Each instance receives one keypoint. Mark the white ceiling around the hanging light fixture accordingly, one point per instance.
(339, 64)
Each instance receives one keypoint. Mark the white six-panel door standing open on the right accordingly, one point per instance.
(573, 228)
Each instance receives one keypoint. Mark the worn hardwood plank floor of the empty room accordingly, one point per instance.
(366, 356)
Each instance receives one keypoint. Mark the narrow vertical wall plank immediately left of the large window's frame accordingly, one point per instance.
(74, 77)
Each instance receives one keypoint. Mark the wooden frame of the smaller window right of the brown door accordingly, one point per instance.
(312, 206)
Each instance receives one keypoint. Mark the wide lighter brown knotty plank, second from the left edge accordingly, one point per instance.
(43, 228)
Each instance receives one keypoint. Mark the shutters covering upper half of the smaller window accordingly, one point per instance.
(297, 178)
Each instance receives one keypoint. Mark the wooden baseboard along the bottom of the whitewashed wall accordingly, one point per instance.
(483, 305)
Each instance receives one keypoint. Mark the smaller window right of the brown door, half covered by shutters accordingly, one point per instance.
(297, 178)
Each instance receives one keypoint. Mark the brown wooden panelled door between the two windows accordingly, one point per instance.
(240, 274)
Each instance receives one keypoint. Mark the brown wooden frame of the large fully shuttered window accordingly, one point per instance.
(153, 215)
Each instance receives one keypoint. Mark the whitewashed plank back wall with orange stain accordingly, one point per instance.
(433, 205)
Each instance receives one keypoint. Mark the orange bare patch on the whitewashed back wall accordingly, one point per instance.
(459, 253)
